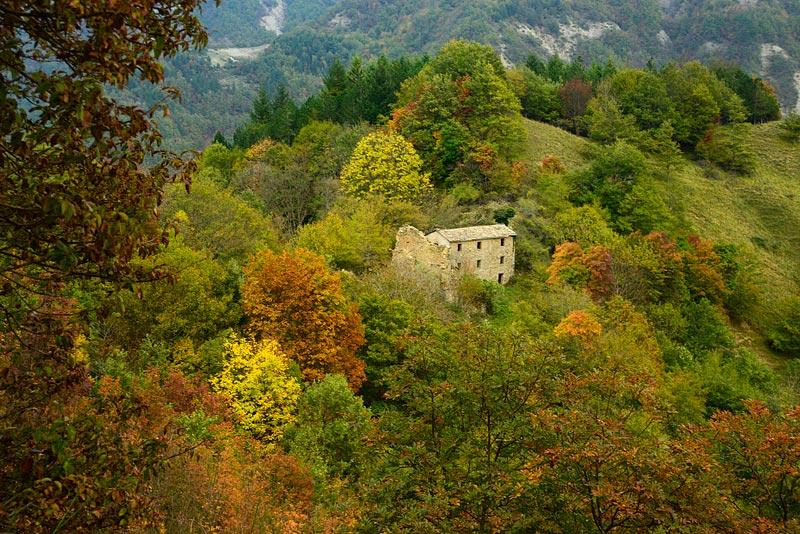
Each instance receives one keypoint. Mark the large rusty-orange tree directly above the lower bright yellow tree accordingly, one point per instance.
(293, 299)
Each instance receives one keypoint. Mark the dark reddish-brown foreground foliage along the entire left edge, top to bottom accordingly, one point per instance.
(81, 176)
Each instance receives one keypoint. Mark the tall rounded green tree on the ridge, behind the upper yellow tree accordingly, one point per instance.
(460, 114)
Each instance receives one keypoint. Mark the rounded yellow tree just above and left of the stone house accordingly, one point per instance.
(385, 164)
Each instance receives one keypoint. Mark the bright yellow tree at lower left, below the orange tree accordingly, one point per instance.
(256, 379)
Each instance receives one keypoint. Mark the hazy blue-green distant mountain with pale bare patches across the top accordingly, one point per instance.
(294, 42)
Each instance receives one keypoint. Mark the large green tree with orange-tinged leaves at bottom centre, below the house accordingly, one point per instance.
(451, 459)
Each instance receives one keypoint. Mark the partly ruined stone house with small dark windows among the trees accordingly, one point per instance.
(486, 252)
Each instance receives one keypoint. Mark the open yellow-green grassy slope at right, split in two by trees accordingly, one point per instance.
(758, 213)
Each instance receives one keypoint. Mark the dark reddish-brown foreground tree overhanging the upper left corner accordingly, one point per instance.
(81, 173)
